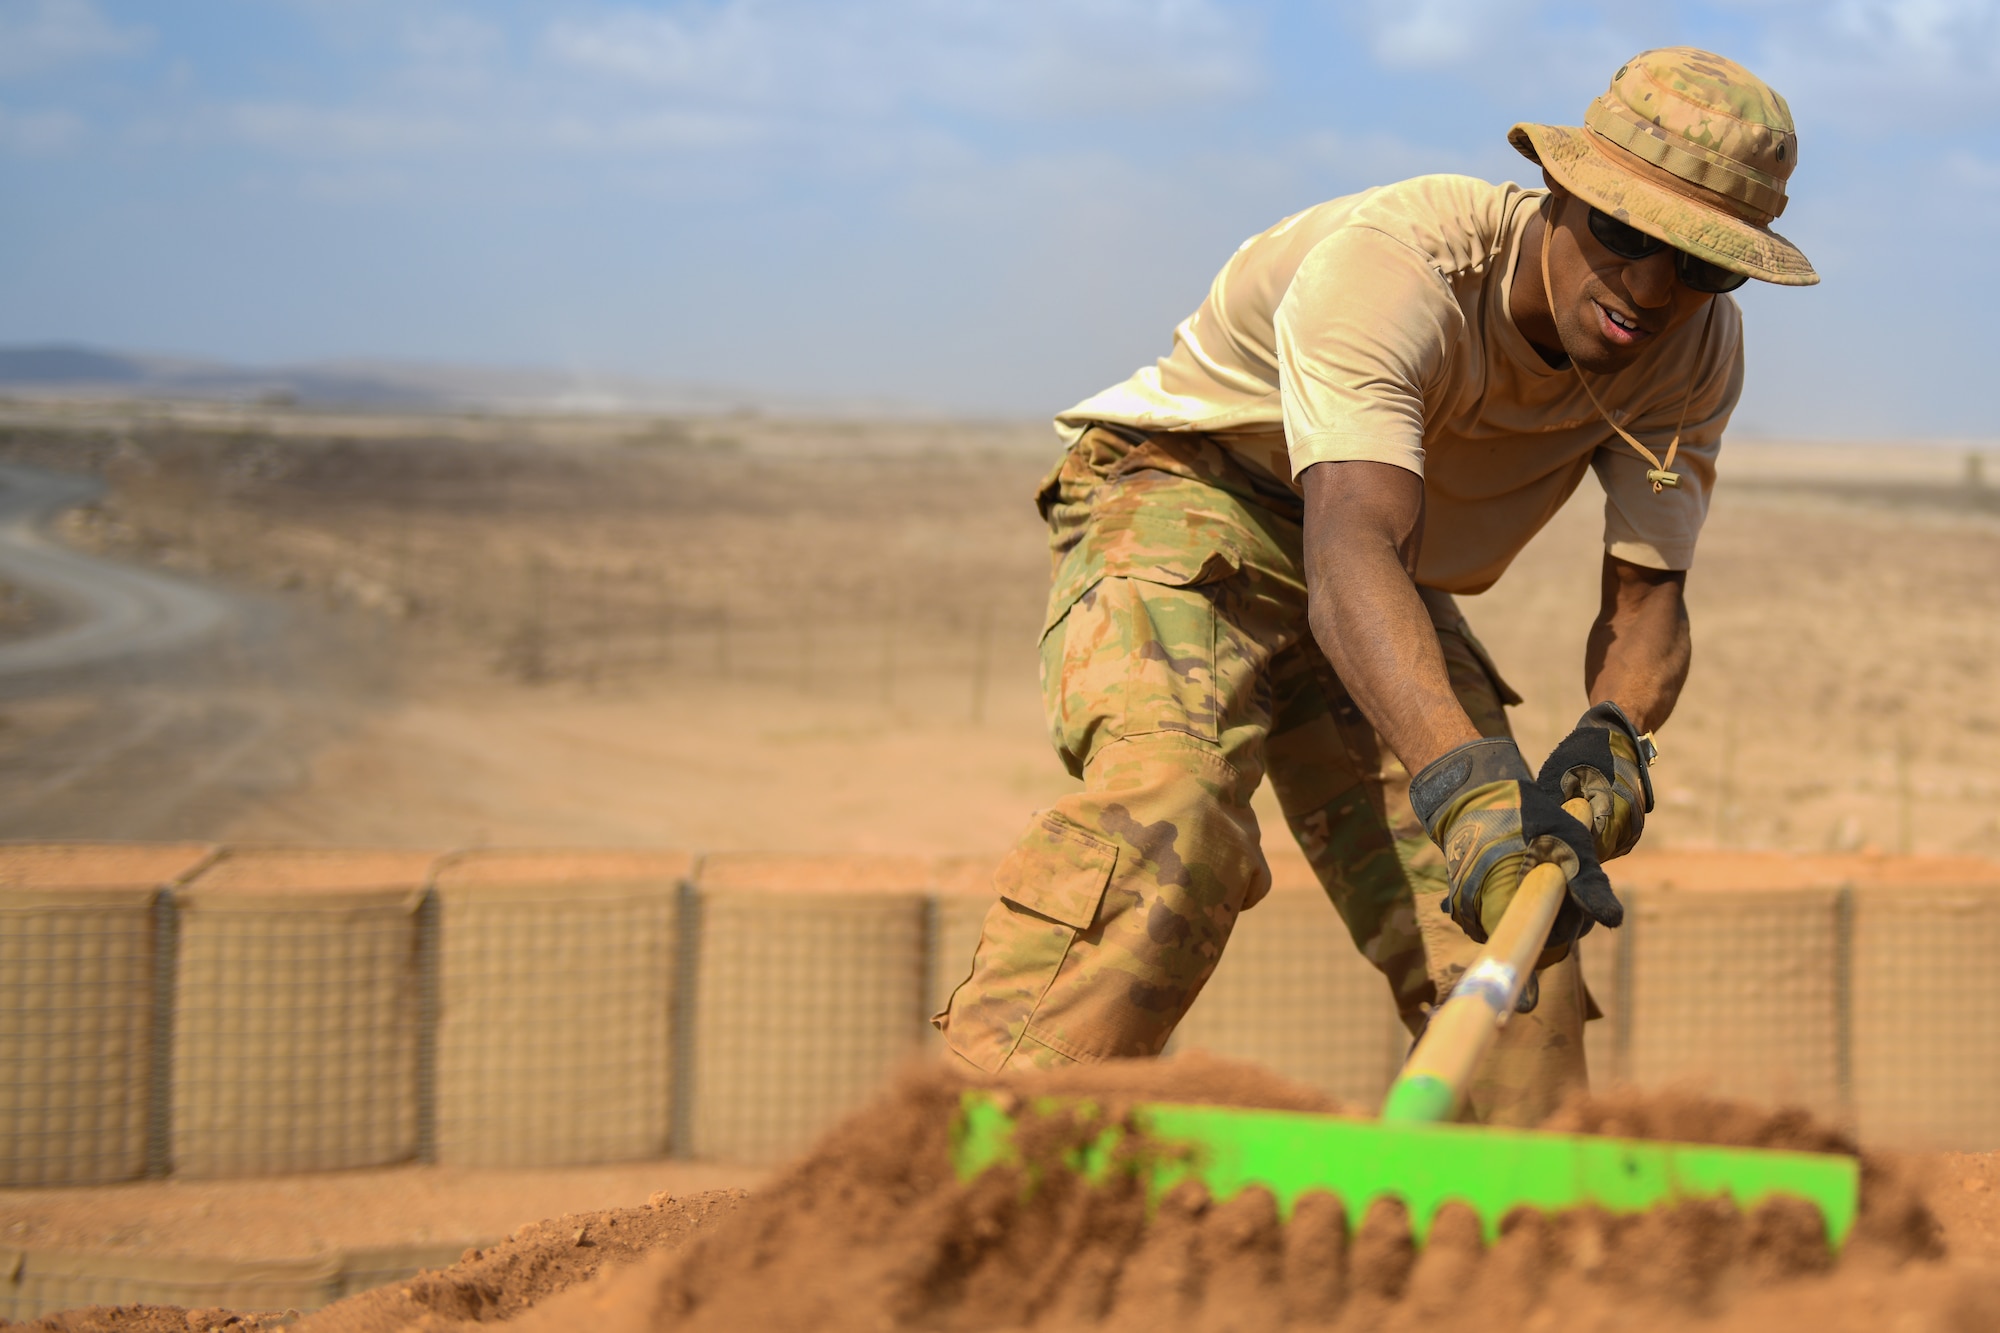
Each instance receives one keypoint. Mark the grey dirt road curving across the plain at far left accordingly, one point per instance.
(139, 704)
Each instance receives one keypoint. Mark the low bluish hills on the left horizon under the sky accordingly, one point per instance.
(71, 371)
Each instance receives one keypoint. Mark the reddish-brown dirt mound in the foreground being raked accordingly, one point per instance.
(873, 1232)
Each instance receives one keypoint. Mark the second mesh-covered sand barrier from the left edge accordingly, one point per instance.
(299, 1014)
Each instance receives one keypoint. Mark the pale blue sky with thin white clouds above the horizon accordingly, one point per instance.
(969, 205)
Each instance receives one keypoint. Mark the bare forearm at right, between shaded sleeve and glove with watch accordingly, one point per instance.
(1639, 647)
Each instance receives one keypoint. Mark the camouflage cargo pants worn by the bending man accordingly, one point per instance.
(1177, 670)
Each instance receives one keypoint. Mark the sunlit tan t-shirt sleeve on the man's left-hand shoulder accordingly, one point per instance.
(1363, 335)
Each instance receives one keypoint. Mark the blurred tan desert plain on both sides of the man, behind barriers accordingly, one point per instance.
(781, 635)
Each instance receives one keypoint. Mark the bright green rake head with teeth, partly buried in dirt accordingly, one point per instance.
(1425, 1166)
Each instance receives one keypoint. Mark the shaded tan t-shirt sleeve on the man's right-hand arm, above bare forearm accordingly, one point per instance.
(1659, 531)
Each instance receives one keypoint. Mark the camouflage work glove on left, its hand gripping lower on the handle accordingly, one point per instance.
(1495, 824)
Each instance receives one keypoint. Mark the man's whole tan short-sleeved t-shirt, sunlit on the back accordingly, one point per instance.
(1377, 327)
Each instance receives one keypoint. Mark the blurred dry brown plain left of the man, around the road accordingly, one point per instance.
(599, 643)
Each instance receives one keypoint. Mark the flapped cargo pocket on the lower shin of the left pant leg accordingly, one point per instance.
(1051, 890)
